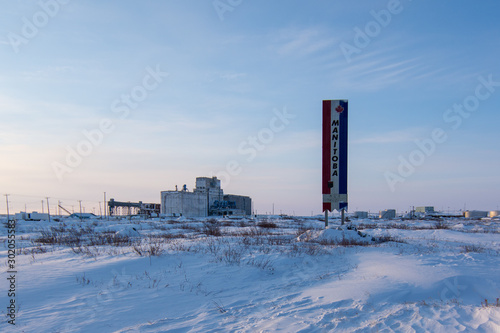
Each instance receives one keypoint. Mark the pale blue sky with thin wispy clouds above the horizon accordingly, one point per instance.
(133, 98)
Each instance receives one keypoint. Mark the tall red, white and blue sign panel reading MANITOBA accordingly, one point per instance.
(334, 182)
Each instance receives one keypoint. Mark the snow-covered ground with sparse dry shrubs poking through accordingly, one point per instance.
(264, 275)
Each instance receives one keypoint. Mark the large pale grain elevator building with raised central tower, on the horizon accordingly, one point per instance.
(207, 199)
